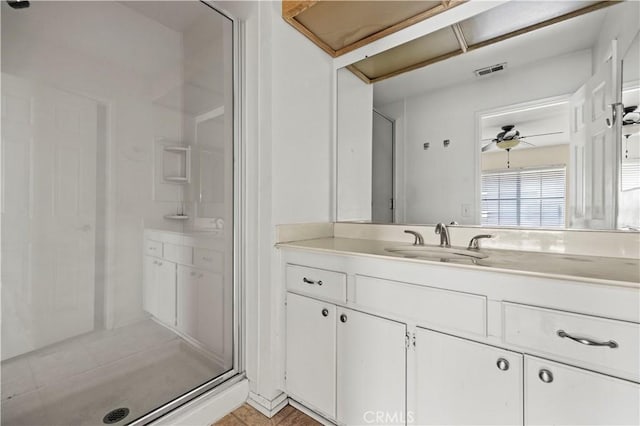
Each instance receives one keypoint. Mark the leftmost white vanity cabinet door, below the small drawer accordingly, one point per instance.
(311, 352)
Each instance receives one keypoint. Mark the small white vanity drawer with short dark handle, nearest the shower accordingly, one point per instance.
(317, 282)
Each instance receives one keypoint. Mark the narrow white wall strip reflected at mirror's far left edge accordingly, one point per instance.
(355, 133)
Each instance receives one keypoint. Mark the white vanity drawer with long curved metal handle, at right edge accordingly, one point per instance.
(538, 330)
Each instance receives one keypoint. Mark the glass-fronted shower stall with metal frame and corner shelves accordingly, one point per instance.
(118, 265)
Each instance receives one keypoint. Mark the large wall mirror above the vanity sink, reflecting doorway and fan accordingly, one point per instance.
(537, 130)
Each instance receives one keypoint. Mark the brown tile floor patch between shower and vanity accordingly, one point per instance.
(249, 416)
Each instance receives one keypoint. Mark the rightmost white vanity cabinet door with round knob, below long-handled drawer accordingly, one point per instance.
(559, 394)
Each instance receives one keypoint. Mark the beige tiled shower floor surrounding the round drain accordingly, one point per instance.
(77, 382)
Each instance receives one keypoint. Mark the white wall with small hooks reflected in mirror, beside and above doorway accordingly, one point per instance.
(438, 181)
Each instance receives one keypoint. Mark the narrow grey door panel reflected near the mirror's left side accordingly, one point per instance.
(382, 198)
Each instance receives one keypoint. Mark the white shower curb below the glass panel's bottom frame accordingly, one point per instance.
(208, 408)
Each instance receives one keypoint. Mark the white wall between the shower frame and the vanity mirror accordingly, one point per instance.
(287, 93)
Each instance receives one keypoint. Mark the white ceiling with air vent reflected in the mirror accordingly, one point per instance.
(547, 42)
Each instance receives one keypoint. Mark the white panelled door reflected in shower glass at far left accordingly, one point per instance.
(49, 140)
